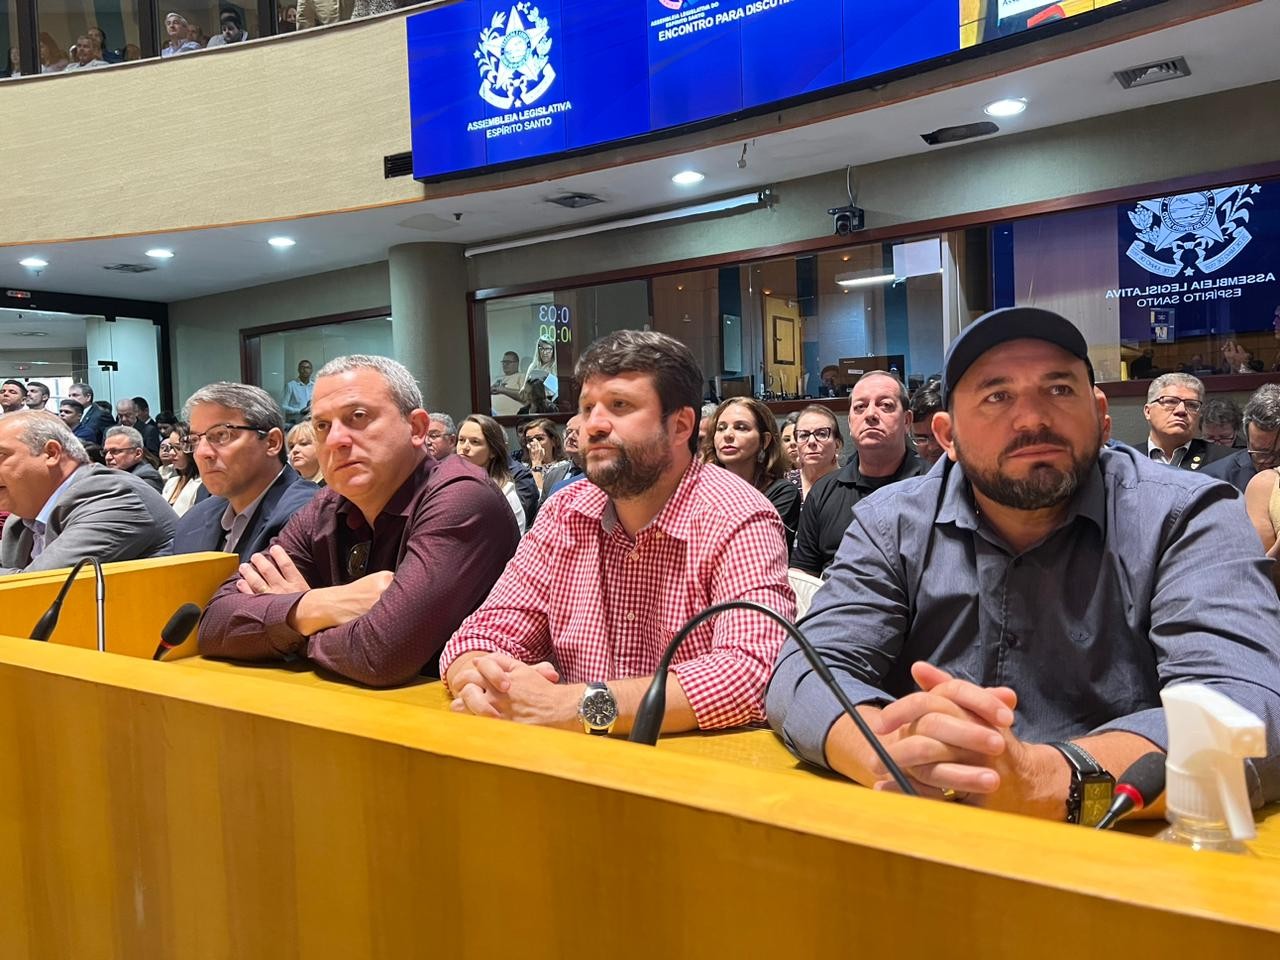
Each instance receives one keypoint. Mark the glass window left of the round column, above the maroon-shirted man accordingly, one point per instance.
(273, 359)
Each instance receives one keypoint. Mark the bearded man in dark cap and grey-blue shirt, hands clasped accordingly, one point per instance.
(1007, 623)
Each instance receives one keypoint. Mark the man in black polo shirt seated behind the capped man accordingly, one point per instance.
(879, 427)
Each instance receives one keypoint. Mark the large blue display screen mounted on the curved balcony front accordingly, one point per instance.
(501, 83)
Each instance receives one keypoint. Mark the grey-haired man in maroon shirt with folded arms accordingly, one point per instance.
(374, 575)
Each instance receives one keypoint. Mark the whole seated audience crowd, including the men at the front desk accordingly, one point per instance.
(976, 552)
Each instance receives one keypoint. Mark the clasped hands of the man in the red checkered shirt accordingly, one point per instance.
(497, 685)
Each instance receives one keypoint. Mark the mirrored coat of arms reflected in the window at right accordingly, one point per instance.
(1210, 225)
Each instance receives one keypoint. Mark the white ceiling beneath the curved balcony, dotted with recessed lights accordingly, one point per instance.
(1224, 53)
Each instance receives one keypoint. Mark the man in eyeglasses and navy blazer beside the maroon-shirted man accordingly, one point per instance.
(237, 441)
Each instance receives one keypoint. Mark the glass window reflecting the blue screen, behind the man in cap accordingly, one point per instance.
(1177, 284)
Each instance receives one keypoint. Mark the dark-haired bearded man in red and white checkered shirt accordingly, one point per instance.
(573, 632)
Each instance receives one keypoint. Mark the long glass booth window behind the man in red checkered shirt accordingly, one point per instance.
(783, 330)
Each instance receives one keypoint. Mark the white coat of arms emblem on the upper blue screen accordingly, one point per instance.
(513, 57)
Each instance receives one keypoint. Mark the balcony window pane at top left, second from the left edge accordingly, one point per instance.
(76, 36)
